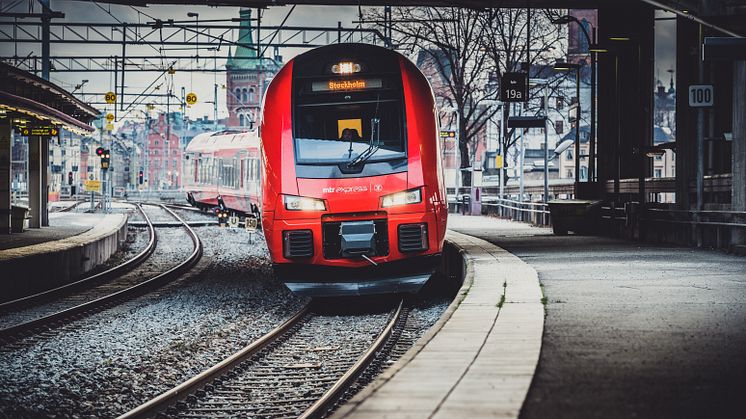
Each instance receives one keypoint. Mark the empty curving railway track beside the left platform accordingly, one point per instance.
(50, 309)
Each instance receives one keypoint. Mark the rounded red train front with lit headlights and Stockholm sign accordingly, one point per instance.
(353, 195)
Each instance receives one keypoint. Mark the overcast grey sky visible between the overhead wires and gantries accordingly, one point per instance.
(202, 83)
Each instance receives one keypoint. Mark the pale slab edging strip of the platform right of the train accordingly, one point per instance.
(479, 359)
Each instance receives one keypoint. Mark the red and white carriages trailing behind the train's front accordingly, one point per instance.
(223, 169)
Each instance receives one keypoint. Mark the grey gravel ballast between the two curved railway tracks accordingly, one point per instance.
(112, 361)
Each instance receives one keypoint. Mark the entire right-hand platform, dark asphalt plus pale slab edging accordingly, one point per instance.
(631, 330)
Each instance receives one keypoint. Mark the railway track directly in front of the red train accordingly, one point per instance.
(287, 372)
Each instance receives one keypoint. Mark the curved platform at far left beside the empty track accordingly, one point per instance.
(73, 244)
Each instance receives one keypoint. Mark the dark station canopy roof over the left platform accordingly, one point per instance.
(27, 95)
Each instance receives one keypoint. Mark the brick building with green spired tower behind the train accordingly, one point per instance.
(247, 77)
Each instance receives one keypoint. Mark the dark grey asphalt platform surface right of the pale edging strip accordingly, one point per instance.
(632, 330)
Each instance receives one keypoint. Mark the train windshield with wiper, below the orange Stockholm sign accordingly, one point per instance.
(333, 132)
